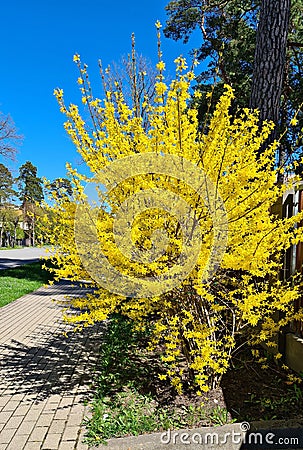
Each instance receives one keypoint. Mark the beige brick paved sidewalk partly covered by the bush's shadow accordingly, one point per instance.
(44, 376)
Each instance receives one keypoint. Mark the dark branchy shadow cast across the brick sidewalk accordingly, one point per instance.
(56, 363)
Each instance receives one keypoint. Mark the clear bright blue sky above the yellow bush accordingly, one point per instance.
(38, 41)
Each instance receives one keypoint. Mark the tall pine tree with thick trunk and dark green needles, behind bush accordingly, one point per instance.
(256, 46)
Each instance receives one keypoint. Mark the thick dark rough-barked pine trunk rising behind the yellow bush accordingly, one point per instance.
(269, 63)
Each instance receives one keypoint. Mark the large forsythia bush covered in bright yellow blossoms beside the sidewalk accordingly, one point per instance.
(198, 311)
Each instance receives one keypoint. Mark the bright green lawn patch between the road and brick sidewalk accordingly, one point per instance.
(21, 280)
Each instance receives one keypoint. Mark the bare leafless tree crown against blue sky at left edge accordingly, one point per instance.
(9, 137)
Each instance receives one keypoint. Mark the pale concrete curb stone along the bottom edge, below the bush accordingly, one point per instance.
(260, 435)
